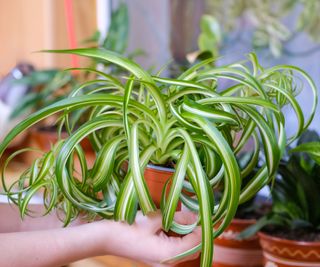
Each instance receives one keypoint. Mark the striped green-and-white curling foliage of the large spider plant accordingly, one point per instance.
(191, 121)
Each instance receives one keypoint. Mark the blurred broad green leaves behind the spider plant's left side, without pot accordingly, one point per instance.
(49, 86)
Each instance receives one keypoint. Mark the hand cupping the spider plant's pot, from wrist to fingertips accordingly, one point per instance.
(145, 241)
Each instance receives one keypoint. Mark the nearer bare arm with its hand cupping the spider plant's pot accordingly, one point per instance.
(143, 241)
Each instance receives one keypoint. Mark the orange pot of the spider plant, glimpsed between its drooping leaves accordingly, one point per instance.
(156, 178)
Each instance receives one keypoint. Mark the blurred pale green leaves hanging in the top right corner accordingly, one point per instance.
(266, 18)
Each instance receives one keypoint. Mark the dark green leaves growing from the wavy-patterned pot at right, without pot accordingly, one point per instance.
(296, 190)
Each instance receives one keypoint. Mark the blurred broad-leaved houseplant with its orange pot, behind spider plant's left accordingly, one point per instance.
(50, 86)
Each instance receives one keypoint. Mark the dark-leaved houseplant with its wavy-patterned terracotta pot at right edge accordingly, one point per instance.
(290, 233)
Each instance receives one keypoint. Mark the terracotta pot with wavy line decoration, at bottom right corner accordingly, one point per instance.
(278, 252)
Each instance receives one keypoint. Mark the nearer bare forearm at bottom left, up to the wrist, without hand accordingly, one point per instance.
(51, 247)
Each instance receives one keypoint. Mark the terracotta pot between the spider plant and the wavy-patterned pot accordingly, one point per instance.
(230, 251)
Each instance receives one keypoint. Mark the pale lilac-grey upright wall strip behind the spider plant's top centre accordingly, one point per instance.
(149, 31)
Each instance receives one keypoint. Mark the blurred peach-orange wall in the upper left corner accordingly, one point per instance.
(32, 25)
